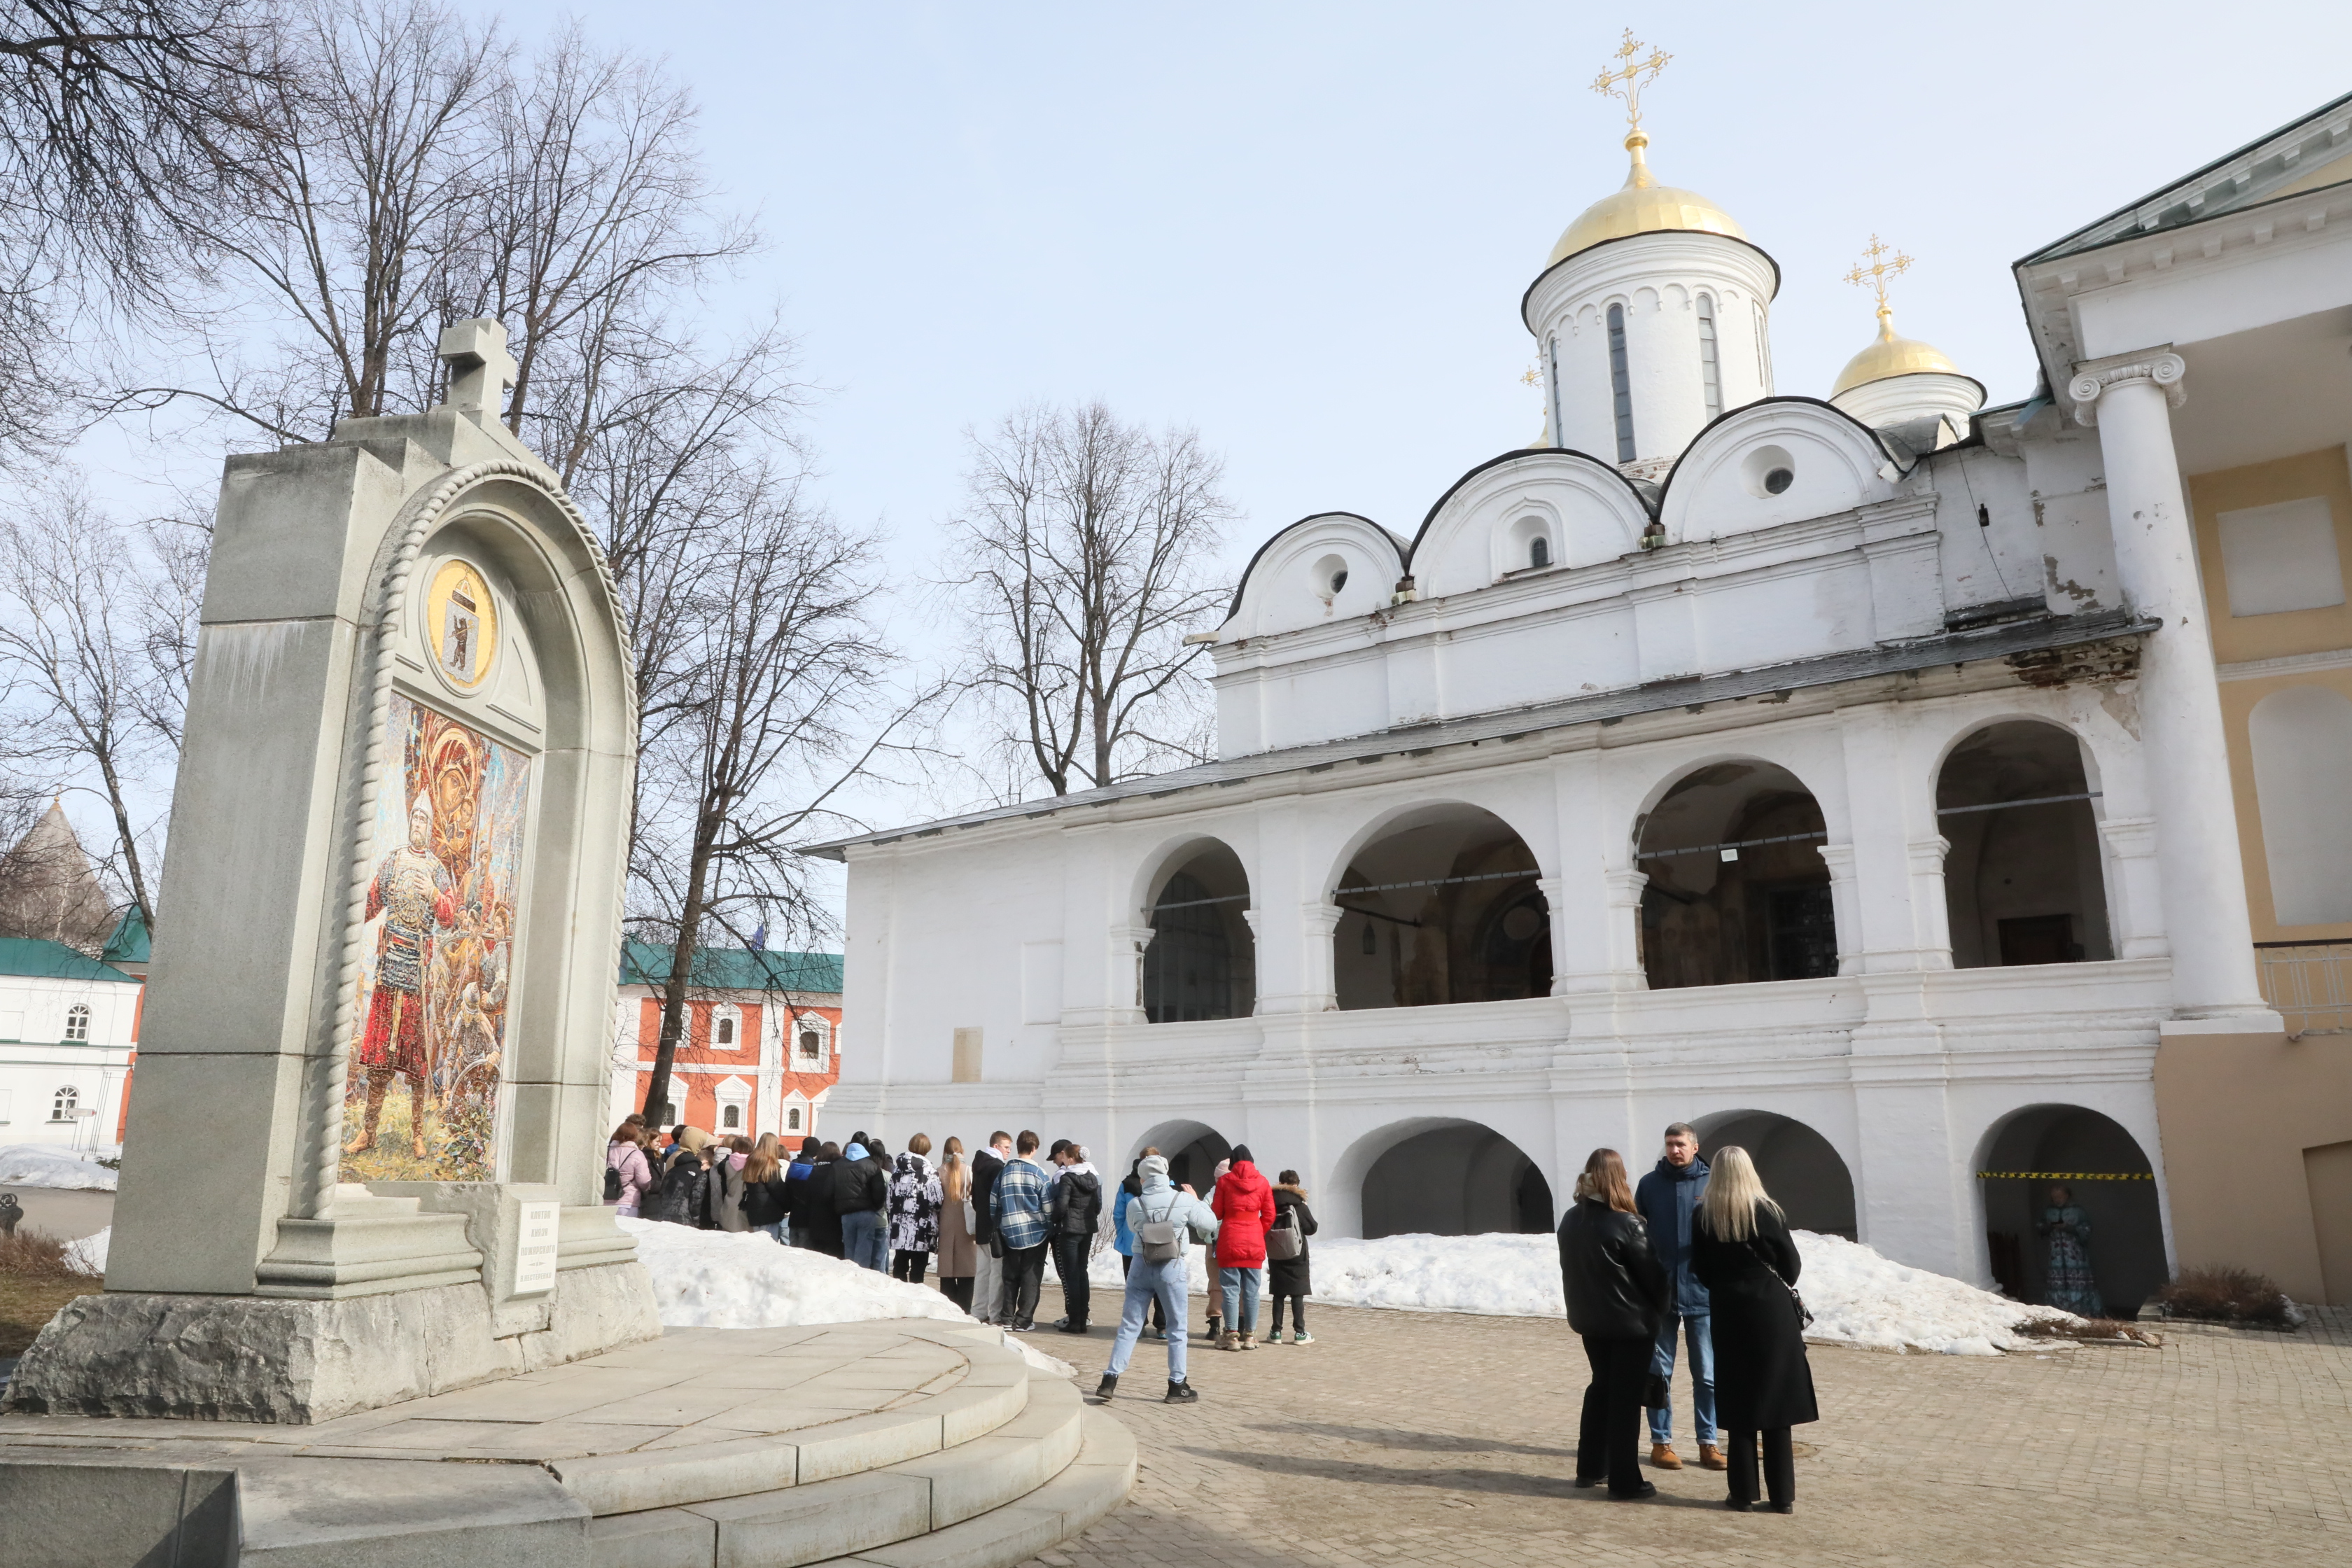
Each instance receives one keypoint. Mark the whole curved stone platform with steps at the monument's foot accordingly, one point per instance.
(890, 1445)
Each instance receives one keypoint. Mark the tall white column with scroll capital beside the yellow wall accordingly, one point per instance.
(2181, 732)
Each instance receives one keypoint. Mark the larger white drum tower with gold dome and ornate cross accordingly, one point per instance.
(1652, 309)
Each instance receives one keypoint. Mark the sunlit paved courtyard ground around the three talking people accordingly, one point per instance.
(1408, 1438)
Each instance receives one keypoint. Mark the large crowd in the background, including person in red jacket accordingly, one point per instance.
(987, 1224)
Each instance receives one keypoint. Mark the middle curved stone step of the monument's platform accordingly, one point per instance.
(864, 1513)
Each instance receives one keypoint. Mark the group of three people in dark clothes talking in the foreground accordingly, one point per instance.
(1697, 1254)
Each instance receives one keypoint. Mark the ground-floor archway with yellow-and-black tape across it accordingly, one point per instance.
(2062, 1165)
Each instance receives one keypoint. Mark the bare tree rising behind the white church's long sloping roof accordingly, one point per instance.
(1083, 563)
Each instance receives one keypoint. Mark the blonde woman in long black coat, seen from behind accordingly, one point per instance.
(1763, 1383)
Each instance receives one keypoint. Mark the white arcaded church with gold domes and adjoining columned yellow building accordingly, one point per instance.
(1887, 784)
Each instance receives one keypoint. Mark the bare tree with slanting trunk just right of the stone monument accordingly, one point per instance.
(763, 716)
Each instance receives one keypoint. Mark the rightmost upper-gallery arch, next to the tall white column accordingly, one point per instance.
(2024, 880)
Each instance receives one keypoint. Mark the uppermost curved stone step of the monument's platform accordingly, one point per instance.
(996, 1388)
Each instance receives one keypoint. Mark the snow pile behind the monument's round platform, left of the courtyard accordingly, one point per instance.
(744, 1280)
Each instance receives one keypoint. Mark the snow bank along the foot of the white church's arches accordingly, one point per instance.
(1857, 1296)
